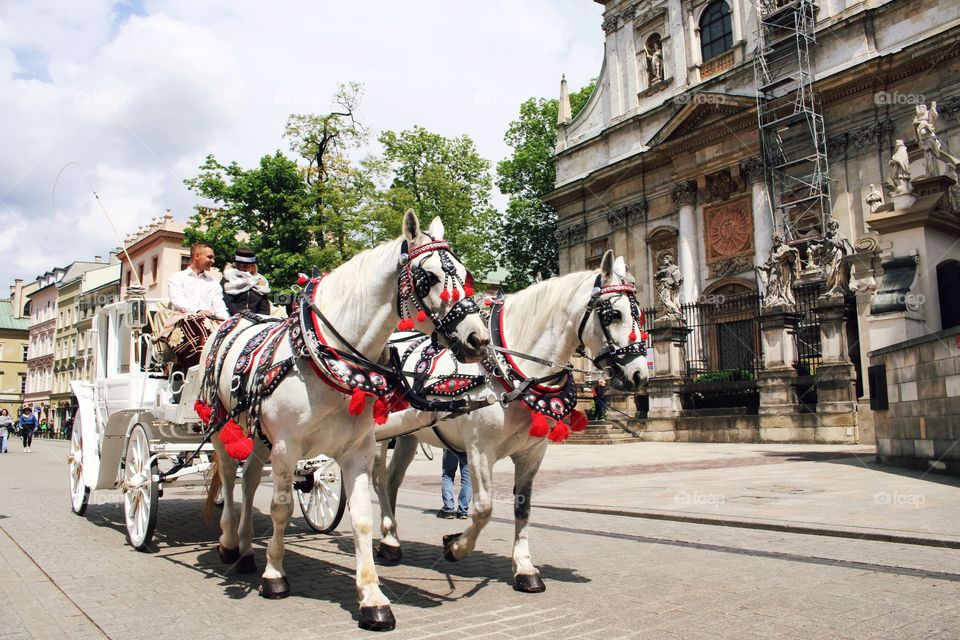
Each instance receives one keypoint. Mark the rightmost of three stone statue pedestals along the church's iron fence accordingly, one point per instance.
(835, 376)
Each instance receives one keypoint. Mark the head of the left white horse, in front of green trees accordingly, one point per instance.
(437, 289)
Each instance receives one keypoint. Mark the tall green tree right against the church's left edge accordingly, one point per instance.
(525, 237)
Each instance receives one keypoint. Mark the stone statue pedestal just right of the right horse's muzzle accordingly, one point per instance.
(663, 388)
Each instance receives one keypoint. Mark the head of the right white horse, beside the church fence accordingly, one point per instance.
(614, 333)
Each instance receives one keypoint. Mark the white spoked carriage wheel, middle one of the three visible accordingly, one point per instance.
(141, 489)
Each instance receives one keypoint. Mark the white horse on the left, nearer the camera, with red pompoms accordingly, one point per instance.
(355, 310)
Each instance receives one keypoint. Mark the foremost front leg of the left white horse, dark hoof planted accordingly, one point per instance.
(356, 467)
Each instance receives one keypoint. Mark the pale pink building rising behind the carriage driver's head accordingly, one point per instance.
(152, 254)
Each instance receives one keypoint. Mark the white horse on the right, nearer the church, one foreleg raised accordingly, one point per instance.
(549, 321)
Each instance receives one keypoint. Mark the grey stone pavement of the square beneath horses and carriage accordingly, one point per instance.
(608, 576)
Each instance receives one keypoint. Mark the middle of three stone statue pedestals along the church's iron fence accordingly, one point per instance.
(777, 379)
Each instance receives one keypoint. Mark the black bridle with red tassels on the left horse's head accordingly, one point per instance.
(415, 287)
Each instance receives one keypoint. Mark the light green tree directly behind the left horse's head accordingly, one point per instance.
(446, 177)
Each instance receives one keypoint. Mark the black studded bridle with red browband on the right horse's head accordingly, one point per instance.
(612, 358)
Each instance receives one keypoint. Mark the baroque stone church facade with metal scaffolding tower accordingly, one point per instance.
(717, 125)
